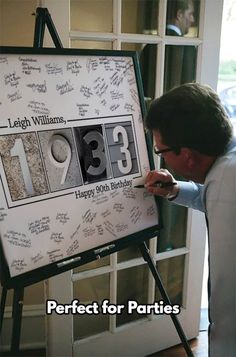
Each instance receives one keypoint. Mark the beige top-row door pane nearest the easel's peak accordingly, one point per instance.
(89, 15)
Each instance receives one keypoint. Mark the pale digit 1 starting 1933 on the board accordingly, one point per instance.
(18, 150)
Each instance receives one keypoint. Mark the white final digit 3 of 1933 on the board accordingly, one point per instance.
(124, 149)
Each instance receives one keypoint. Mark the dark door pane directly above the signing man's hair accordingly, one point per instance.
(180, 65)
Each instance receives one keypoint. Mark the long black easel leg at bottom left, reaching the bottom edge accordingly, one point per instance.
(17, 316)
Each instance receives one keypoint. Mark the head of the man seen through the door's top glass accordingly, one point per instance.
(181, 14)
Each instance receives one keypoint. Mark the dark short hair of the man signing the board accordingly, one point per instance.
(192, 116)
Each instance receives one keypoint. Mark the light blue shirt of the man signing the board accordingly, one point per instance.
(217, 198)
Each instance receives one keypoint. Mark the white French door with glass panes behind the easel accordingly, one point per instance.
(178, 251)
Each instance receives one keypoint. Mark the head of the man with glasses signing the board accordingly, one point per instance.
(191, 121)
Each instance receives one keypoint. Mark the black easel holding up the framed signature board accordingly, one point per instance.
(43, 18)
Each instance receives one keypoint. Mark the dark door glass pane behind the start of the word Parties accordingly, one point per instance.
(132, 284)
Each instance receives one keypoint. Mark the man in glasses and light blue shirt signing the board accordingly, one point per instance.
(195, 138)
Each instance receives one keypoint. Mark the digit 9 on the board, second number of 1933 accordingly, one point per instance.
(58, 146)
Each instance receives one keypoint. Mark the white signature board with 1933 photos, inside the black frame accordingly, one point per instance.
(72, 148)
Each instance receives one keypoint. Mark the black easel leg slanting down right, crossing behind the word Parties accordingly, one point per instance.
(146, 256)
